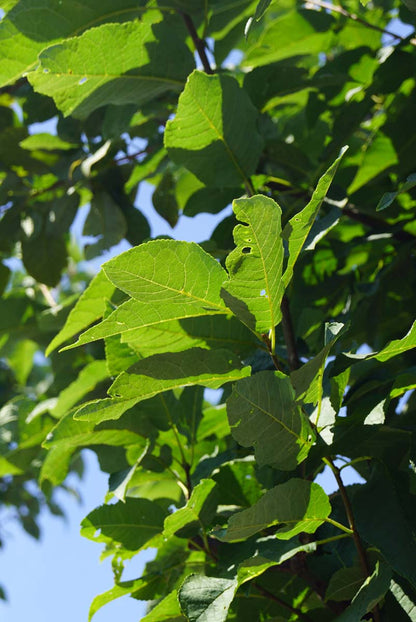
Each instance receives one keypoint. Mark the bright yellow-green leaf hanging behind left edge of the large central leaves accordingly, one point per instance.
(89, 308)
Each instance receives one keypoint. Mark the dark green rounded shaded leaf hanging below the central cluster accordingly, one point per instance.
(262, 412)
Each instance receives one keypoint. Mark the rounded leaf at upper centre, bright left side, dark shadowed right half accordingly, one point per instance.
(206, 134)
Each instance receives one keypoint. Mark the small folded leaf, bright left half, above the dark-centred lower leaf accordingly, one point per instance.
(196, 514)
